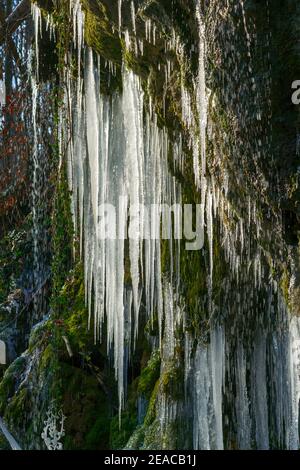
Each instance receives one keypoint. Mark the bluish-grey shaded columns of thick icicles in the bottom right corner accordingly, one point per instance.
(259, 382)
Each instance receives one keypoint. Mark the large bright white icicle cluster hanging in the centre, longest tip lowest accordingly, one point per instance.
(116, 153)
